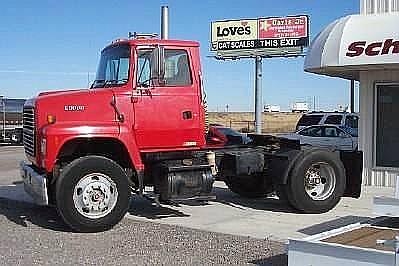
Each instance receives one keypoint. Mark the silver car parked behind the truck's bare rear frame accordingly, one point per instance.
(328, 136)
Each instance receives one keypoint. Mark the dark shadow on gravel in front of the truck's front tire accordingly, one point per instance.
(23, 213)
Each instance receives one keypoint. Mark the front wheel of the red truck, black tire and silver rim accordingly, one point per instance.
(92, 194)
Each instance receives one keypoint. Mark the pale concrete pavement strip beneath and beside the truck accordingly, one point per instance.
(259, 218)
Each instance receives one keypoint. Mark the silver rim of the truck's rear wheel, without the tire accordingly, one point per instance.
(320, 181)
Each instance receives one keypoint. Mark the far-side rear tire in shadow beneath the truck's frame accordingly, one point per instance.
(248, 186)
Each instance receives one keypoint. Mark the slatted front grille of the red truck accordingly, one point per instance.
(29, 137)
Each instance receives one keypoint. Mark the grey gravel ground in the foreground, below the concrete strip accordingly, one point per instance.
(31, 234)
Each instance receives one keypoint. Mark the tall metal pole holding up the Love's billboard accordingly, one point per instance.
(258, 95)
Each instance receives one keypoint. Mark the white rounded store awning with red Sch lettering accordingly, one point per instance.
(355, 43)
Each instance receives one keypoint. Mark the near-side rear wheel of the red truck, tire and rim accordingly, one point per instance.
(328, 185)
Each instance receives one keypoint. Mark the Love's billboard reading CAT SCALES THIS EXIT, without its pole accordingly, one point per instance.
(260, 34)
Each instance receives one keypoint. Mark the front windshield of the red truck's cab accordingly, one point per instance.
(113, 68)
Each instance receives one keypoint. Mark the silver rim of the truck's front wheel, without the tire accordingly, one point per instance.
(95, 195)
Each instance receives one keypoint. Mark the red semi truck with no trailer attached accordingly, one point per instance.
(143, 123)
